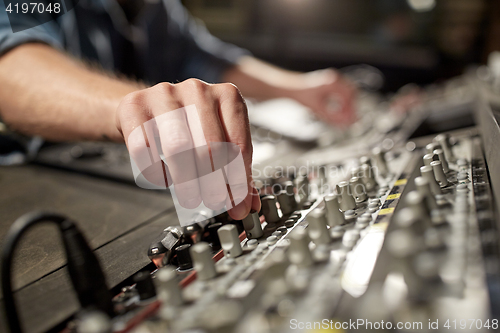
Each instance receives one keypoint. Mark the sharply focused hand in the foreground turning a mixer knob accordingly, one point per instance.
(221, 117)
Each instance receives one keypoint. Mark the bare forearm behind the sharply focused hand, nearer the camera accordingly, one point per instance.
(46, 93)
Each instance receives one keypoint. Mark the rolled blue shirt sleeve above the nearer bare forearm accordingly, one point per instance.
(48, 33)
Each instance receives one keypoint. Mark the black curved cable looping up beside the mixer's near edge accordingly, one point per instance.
(83, 267)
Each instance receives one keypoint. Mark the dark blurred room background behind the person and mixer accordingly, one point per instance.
(419, 41)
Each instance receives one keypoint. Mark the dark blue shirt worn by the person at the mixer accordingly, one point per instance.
(163, 43)
